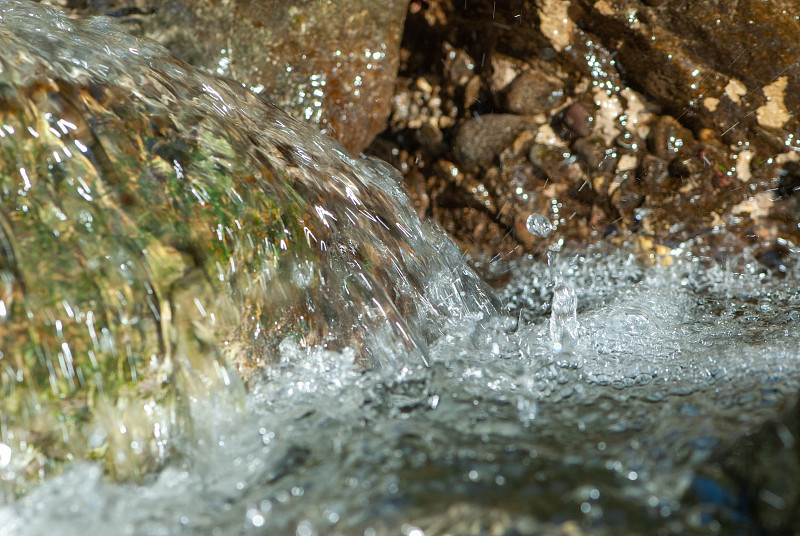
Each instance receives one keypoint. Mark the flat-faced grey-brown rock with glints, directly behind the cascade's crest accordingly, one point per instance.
(329, 62)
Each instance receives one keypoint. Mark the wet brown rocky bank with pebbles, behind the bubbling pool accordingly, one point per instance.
(646, 121)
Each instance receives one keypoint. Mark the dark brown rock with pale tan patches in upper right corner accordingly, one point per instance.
(715, 69)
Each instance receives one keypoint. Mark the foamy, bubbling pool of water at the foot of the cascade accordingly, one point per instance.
(608, 431)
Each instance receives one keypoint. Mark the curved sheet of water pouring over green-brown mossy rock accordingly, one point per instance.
(163, 231)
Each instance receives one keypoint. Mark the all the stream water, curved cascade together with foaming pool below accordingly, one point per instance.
(503, 431)
